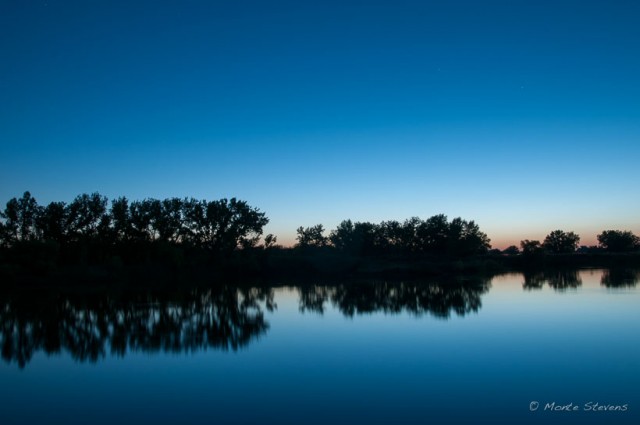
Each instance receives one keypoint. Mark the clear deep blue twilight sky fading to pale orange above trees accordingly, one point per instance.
(521, 115)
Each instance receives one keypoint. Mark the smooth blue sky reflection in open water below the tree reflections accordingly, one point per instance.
(576, 345)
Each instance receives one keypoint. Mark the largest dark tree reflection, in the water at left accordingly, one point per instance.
(90, 326)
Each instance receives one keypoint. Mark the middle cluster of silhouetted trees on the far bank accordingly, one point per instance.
(435, 235)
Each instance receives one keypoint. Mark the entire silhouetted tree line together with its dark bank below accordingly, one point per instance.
(224, 236)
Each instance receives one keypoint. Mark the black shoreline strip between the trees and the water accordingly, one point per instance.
(33, 266)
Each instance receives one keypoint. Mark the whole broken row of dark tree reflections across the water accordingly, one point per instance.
(92, 326)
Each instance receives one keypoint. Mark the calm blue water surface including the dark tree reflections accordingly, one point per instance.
(371, 353)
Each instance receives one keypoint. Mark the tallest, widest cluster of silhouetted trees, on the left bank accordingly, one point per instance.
(218, 225)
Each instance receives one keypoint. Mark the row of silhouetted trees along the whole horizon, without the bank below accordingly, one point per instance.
(122, 228)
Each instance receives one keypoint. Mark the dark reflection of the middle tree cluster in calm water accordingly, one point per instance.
(440, 299)
